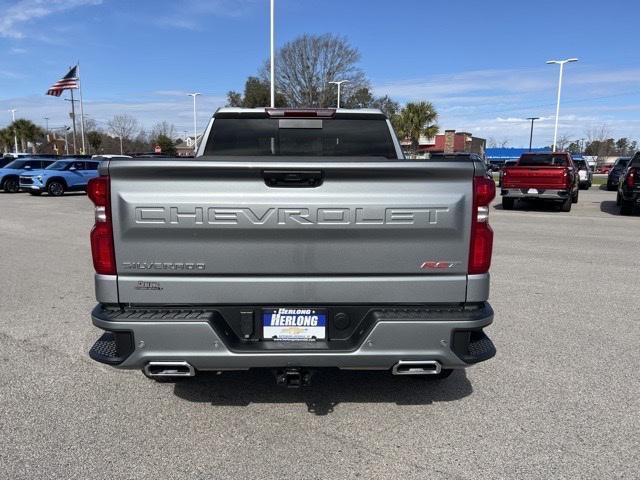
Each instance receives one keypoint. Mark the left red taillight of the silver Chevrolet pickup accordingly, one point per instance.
(102, 250)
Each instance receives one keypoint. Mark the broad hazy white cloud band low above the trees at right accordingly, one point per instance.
(495, 103)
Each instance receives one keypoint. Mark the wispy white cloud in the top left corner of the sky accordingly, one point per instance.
(24, 11)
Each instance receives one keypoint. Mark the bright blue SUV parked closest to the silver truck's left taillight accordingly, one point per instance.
(66, 175)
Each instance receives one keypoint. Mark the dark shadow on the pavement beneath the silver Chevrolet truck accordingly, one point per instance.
(328, 389)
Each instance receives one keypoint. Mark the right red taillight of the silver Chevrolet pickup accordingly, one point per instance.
(484, 190)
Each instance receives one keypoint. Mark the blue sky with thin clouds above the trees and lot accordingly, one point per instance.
(481, 63)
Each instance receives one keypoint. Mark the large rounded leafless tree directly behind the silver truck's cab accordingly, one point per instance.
(306, 65)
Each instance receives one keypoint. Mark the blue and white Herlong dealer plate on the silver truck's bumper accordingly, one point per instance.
(294, 324)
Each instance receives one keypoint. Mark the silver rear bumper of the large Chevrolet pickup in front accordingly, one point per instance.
(454, 337)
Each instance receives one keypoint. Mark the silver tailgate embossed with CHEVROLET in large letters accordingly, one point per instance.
(204, 231)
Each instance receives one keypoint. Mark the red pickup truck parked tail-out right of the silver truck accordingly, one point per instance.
(541, 176)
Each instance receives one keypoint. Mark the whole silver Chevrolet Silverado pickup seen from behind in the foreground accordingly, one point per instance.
(296, 239)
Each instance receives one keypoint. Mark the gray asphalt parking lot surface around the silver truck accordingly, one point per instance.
(560, 400)
